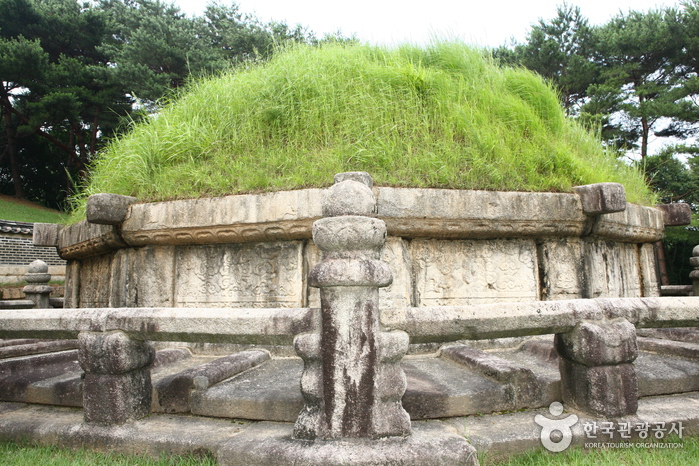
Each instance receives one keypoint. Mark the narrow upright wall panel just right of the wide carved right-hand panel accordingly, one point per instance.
(562, 269)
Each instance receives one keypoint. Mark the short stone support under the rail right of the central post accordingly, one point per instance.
(597, 376)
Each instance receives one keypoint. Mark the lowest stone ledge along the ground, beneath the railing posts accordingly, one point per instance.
(494, 437)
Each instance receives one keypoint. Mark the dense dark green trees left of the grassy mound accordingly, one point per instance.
(72, 73)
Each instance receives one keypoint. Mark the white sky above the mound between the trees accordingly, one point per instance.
(485, 22)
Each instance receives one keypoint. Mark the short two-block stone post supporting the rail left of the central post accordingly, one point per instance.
(117, 386)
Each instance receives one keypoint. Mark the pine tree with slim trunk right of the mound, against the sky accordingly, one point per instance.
(640, 88)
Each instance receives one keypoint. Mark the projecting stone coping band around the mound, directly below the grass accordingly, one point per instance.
(408, 212)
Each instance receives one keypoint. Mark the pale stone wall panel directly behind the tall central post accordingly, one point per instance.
(396, 253)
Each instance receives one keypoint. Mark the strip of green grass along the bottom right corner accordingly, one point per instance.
(688, 454)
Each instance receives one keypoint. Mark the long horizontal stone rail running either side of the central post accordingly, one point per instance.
(279, 326)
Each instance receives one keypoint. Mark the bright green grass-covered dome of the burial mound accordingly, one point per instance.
(443, 116)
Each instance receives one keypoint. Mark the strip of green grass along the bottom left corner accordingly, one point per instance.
(18, 454)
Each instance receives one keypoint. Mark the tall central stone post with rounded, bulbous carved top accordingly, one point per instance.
(352, 381)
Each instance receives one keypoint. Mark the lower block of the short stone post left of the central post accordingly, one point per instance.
(115, 399)
